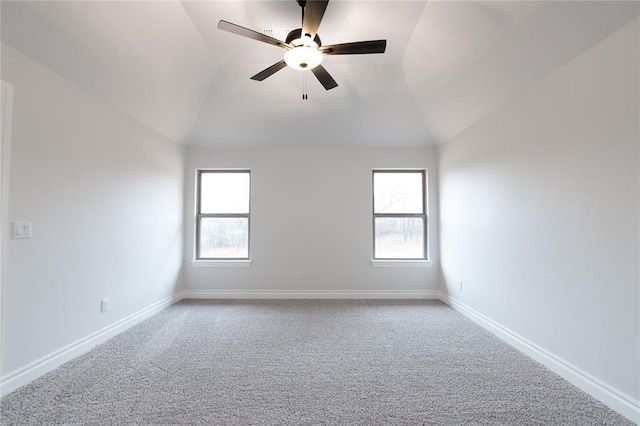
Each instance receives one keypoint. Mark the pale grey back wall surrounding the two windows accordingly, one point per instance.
(310, 212)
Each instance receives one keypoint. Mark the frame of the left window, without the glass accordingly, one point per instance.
(199, 216)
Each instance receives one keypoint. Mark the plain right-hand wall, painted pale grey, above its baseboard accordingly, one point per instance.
(540, 218)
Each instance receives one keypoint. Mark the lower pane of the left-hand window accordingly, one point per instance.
(224, 237)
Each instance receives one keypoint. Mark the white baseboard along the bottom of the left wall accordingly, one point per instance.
(28, 373)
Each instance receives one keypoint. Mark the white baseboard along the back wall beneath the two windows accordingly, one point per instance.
(309, 294)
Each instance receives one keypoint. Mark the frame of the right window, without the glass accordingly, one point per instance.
(423, 216)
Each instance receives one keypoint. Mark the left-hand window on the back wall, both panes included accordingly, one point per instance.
(222, 214)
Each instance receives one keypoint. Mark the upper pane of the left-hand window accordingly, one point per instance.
(224, 192)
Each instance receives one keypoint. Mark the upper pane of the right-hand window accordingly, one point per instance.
(398, 192)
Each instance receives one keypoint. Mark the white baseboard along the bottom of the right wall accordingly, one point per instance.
(614, 399)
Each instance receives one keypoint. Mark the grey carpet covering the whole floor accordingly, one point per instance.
(304, 363)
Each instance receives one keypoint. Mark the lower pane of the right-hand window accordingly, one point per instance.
(399, 238)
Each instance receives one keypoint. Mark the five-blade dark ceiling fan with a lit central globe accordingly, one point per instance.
(303, 45)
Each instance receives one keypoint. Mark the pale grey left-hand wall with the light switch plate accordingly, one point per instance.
(104, 194)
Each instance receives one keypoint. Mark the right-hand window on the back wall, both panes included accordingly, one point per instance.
(399, 219)
